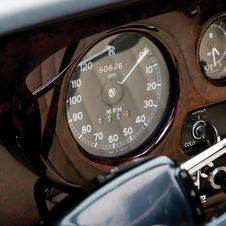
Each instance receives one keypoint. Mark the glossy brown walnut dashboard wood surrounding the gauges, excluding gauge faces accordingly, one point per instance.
(35, 127)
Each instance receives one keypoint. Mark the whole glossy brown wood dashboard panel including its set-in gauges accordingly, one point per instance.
(40, 127)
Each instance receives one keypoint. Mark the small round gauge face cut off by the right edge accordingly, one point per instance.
(213, 50)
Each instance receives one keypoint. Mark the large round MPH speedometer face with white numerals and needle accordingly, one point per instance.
(118, 95)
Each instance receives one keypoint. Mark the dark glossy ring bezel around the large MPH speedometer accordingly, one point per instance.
(161, 131)
